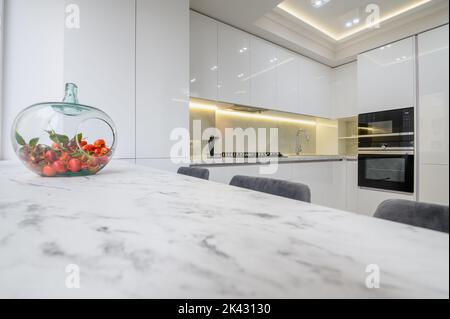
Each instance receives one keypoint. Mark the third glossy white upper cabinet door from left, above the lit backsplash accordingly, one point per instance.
(263, 76)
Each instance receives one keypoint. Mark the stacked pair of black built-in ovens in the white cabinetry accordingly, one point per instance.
(386, 150)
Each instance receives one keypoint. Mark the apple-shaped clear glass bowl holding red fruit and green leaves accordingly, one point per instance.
(64, 138)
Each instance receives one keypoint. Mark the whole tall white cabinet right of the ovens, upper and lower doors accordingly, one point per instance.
(433, 114)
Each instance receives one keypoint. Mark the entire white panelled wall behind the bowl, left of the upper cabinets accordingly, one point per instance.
(114, 40)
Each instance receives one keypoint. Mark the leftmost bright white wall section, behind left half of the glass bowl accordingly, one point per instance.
(33, 58)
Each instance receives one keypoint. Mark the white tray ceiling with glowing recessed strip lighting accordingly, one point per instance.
(321, 33)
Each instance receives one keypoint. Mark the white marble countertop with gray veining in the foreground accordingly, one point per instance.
(136, 232)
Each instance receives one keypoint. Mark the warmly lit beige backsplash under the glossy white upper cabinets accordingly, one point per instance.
(309, 135)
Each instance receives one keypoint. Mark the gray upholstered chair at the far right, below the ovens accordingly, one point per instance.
(424, 215)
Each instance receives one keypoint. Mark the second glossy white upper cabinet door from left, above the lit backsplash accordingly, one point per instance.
(234, 65)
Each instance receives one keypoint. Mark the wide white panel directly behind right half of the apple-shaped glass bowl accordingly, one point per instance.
(100, 58)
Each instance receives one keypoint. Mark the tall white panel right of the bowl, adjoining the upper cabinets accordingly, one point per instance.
(162, 75)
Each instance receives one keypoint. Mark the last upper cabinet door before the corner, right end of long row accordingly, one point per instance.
(315, 88)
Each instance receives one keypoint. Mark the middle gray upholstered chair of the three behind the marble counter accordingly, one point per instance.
(281, 188)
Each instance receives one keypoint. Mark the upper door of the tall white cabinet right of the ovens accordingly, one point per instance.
(433, 110)
